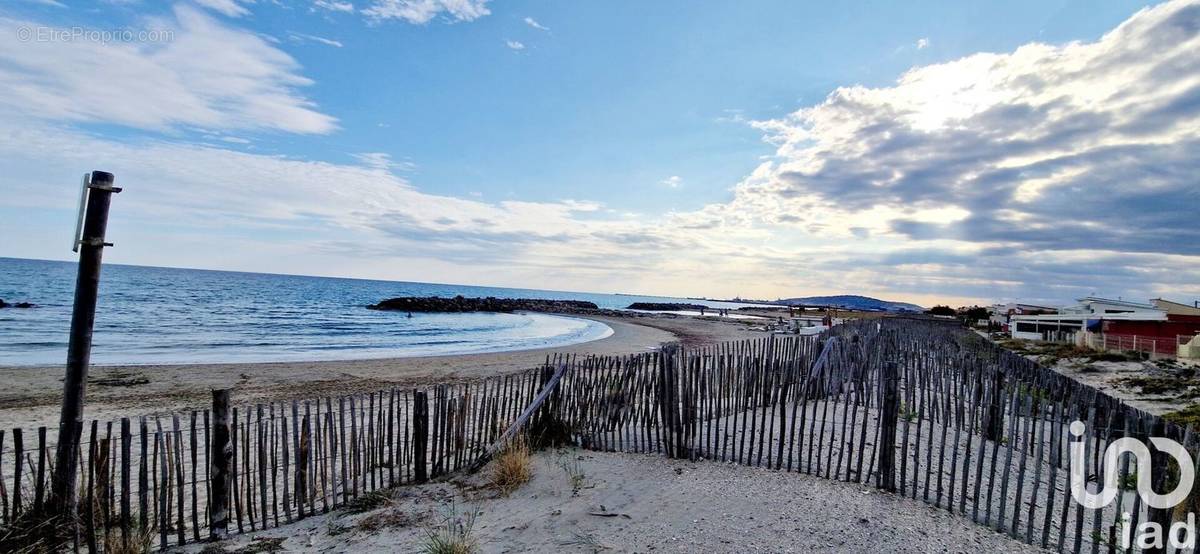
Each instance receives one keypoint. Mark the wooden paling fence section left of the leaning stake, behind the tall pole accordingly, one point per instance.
(149, 481)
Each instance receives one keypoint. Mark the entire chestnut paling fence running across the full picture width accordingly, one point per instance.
(927, 411)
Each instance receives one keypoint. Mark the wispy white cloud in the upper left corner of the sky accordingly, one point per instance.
(208, 76)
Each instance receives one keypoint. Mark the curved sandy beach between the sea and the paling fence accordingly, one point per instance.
(32, 395)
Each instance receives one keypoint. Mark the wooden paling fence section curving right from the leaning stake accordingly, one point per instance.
(928, 411)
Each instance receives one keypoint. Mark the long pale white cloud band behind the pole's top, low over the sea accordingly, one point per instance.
(358, 214)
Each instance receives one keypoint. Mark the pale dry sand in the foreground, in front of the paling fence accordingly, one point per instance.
(646, 503)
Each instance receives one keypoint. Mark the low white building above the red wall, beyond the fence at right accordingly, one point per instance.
(1089, 312)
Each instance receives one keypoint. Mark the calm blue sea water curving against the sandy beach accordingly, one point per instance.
(176, 316)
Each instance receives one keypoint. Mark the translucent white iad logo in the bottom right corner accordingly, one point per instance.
(1150, 534)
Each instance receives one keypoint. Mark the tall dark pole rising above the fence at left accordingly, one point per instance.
(63, 487)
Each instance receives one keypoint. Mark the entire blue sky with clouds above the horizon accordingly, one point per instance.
(935, 153)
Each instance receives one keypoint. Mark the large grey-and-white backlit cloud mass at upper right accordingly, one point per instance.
(1063, 152)
